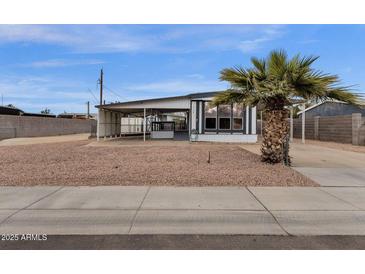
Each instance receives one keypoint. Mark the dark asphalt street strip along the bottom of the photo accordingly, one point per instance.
(189, 242)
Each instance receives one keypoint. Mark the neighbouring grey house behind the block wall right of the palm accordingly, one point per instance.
(331, 108)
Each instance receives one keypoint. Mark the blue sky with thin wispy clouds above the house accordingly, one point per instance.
(55, 66)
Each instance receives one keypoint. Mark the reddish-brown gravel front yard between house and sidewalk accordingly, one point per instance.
(76, 163)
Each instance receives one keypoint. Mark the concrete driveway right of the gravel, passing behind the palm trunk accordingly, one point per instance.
(327, 166)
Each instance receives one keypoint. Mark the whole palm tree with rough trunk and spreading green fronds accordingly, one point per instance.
(276, 83)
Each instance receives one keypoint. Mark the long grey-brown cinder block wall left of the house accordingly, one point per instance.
(26, 126)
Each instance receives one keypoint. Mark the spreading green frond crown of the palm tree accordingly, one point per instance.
(276, 80)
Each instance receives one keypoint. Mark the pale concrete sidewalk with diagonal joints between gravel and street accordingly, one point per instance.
(183, 210)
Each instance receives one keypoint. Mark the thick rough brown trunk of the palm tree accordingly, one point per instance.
(275, 130)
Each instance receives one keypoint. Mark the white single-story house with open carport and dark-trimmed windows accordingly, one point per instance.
(204, 122)
